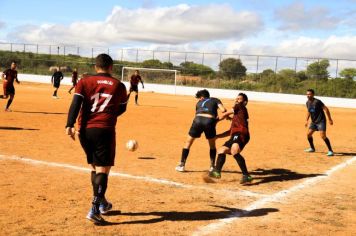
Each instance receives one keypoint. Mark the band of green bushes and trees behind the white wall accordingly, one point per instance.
(232, 74)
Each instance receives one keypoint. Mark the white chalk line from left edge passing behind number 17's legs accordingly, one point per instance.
(228, 193)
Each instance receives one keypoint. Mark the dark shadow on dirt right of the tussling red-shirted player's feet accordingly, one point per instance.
(263, 176)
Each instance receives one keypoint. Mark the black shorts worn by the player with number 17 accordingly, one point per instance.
(99, 145)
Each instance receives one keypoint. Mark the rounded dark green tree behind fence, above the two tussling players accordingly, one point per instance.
(232, 68)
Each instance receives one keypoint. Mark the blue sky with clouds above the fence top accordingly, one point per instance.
(286, 28)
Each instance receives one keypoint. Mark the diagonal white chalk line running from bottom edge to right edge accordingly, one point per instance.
(214, 228)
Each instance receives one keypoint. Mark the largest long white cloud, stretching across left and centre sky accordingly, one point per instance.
(167, 25)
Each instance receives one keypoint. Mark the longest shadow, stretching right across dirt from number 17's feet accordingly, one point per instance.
(223, 213)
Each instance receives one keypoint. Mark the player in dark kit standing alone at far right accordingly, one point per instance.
(316, 110)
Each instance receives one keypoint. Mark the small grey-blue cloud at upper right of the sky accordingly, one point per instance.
(296, 17)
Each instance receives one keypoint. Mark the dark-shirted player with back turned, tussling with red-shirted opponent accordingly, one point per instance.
(206, 117)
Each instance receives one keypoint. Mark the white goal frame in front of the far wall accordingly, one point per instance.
(153, 75)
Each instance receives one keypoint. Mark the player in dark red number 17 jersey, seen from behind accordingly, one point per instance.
(99, 99)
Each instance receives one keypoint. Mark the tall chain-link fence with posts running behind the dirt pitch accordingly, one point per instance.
(263, 72)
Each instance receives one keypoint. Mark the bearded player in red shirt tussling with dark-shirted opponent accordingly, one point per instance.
(239, 137)
